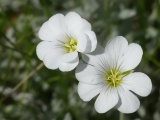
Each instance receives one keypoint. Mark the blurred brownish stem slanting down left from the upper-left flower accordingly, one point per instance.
(24, 80)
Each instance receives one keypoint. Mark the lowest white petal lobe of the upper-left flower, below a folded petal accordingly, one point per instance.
(68, 66)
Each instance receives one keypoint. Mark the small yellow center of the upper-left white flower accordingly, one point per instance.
(70, 45)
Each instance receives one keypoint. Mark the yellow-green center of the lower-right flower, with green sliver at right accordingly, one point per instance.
(113, 77)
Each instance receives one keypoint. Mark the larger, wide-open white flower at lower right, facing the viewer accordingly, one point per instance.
(111, 76)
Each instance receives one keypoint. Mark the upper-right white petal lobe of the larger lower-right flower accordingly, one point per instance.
(132, 57)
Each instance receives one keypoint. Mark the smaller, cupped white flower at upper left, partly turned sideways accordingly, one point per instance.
(63, 37)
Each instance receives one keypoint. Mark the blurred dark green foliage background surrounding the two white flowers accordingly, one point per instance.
(51, 94)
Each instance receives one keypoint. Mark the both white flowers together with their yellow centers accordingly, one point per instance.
(107, 72)
